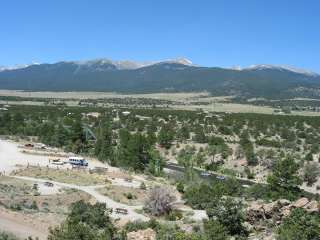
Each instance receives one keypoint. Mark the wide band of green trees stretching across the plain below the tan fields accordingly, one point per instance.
(70, 128)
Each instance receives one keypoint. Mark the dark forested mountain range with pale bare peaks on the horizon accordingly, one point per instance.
(176, 75)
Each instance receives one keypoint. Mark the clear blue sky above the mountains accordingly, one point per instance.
(222, 33)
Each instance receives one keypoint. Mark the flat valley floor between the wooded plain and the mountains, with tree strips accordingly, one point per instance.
(177, 101)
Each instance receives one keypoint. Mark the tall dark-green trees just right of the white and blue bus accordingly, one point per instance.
(134, 151)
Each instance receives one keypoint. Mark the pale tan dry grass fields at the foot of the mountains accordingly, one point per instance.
(191, 101)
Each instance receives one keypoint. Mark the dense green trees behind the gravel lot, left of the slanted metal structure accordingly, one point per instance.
(52, 126)
